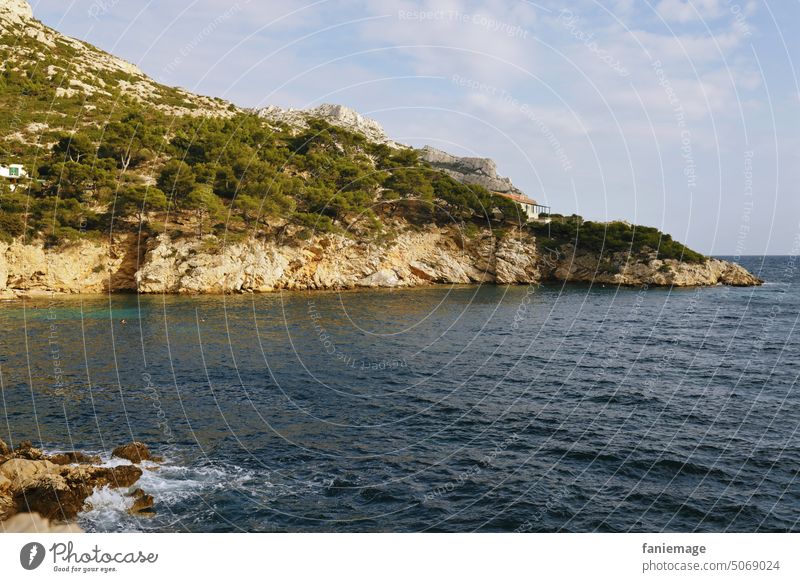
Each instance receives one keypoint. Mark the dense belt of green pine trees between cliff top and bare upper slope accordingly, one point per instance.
(235, 175)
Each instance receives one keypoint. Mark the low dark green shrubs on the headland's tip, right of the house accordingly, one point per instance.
(606, 238)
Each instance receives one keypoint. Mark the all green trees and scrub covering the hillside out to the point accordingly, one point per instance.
(106, 162)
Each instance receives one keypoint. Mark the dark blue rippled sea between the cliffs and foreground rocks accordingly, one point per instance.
(561, 408)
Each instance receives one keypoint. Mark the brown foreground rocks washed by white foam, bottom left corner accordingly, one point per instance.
(56, 487)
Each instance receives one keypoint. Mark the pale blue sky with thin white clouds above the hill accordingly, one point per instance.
(679, 114)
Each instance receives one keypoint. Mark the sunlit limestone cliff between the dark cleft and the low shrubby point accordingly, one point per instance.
(414, 257)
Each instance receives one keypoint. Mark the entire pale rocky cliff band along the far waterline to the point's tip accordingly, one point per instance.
(413, 257)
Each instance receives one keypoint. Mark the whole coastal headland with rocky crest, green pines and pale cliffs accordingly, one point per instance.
(124, 170)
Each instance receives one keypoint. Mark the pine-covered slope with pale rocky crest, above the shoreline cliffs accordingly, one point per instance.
(114, 147)
